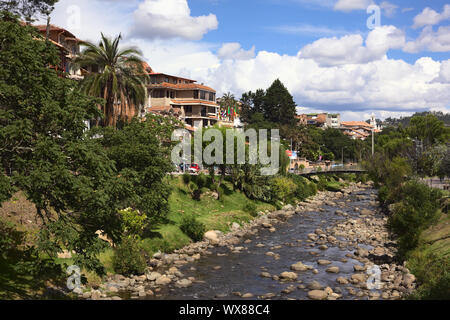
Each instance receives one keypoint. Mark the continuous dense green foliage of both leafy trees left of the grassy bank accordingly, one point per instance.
(78, 181)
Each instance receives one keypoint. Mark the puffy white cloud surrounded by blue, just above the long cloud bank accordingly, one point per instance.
(351, 49)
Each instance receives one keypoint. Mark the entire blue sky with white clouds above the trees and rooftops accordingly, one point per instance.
(322, 50)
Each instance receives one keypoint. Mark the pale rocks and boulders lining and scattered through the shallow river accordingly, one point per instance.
(361, 231)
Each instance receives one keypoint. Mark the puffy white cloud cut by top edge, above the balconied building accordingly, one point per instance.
(170, 19)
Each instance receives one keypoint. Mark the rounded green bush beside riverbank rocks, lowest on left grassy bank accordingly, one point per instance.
(129, 257)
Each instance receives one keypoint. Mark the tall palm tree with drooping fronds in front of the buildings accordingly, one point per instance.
(120, 79)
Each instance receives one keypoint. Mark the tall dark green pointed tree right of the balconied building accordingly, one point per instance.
(279, 105)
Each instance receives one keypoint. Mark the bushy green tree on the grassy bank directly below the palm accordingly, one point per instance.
(141, 159)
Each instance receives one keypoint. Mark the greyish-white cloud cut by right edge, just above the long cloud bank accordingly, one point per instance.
(429, 40)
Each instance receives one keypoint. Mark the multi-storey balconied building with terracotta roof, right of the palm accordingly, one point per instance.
(193, 103)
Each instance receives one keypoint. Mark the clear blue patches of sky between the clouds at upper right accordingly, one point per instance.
(285, 26)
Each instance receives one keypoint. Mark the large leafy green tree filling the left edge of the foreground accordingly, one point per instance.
(46, 153)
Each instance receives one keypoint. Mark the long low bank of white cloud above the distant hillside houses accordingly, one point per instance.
(390, 85)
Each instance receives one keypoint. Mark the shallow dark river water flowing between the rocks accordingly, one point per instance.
(241, 272)
